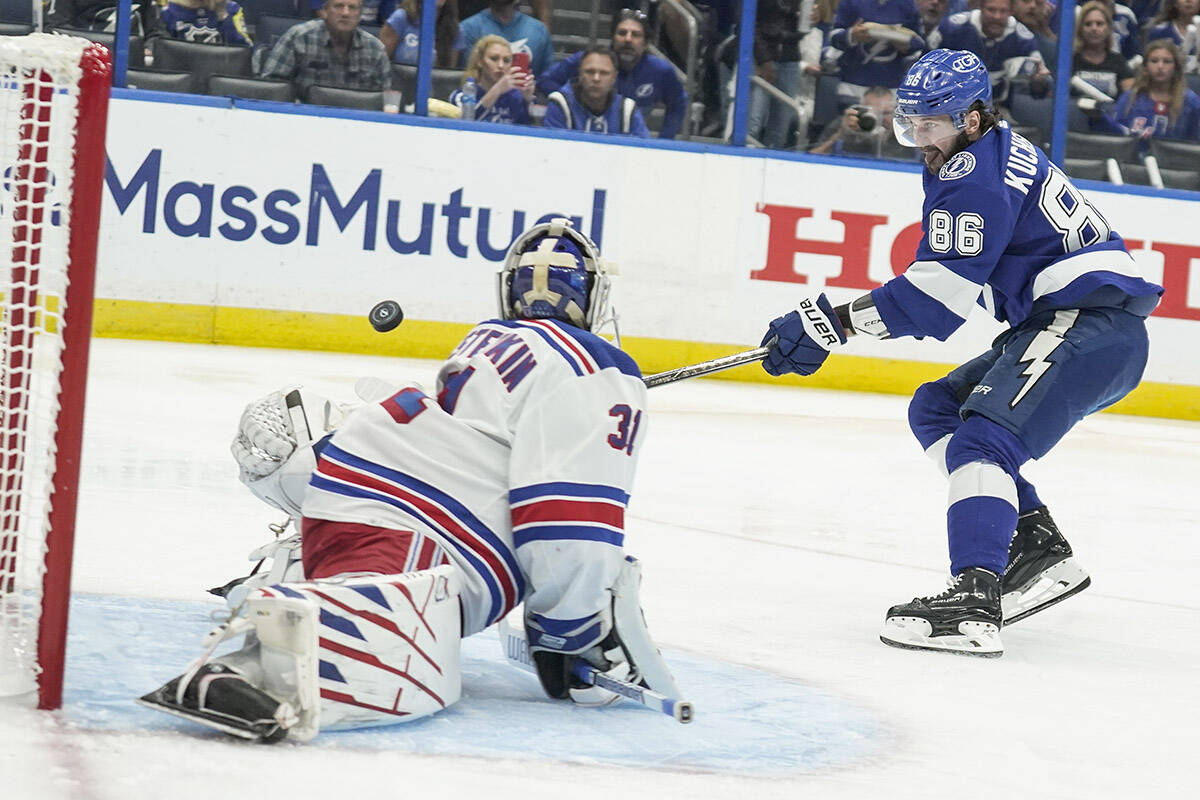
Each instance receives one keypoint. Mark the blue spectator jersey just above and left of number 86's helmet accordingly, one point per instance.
(875, 63)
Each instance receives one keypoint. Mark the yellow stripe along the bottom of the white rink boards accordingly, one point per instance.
(417, 339)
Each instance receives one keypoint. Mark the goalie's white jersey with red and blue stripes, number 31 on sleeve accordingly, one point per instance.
(519, 470)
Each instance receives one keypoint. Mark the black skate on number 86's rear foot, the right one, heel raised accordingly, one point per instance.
(1042, 570)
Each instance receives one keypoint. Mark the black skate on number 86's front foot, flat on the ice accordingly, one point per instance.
(965, 619)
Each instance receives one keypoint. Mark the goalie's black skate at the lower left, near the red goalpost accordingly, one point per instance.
(221, 699)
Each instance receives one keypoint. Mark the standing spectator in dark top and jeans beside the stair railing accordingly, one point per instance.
(777, 57)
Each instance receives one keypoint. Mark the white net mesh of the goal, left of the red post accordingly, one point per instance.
(39, 93)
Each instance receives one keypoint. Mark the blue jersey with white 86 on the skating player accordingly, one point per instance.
(1006, 230)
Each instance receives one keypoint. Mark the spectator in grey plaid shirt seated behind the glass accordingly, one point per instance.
(332, 52)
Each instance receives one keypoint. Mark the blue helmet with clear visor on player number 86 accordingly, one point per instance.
(941, 82)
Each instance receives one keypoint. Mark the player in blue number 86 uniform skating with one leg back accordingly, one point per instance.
(1004, 230)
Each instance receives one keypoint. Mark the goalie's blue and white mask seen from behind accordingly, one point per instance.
(553, 272)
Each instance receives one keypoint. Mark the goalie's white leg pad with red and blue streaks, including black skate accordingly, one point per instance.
(334, 654)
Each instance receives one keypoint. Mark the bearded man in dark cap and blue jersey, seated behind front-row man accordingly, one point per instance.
(646, 80)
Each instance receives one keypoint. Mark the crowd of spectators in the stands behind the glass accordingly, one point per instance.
(641, 71)
